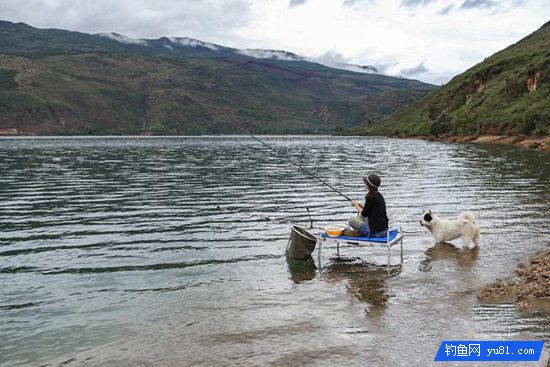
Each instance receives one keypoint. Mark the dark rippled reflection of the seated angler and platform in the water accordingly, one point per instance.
(365, 281)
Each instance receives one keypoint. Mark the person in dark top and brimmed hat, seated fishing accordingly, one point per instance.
(372, 219)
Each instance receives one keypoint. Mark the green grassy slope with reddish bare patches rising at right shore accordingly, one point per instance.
(508, 93)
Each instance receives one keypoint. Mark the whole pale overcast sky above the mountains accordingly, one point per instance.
(429, 40)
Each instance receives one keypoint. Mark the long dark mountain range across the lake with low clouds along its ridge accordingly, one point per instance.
(61, 82)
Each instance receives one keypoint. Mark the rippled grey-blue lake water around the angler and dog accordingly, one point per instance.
(170, 251)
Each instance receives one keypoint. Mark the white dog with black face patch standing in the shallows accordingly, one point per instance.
(443, 230)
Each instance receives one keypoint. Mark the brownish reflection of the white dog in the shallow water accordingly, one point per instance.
(446, 251)
